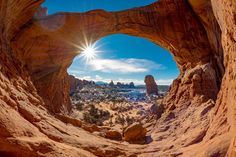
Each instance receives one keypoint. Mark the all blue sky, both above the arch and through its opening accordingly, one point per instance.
(120, 57)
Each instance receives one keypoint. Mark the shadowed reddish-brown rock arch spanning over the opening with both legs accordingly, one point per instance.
(49, 44)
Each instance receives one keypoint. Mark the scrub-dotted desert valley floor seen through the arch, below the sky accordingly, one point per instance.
(118, 112)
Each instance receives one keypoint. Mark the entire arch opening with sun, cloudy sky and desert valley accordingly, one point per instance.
(109, 89)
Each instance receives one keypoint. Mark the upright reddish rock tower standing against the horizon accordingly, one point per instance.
(151, 86)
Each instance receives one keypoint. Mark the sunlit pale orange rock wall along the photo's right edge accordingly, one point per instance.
(225, 12)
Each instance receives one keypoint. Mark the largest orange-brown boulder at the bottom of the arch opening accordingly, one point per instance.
(135, 133)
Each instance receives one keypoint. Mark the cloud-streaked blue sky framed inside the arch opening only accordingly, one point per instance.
(115, 49)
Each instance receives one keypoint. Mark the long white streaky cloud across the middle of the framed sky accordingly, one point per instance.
(123, 65)
